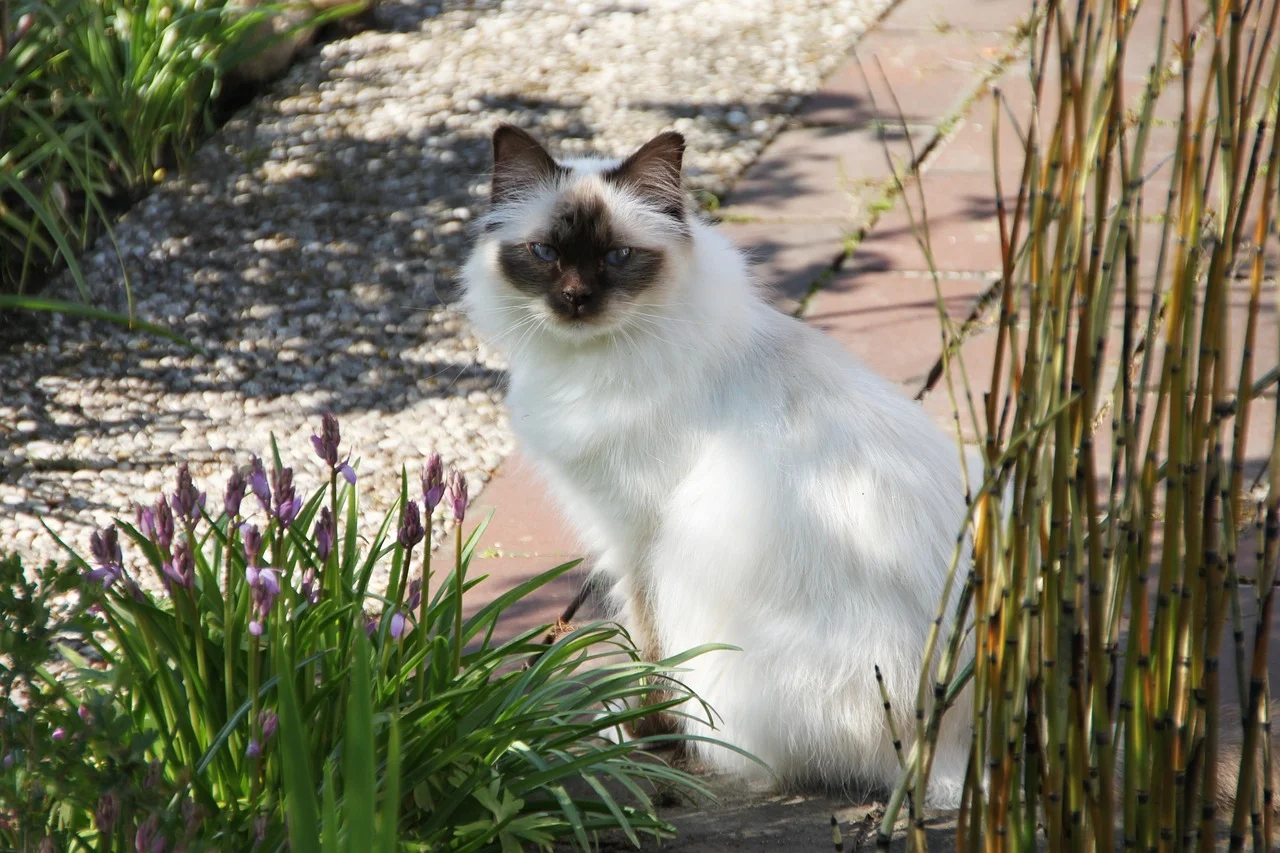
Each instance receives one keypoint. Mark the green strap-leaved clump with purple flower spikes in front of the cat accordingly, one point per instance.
(271, 709)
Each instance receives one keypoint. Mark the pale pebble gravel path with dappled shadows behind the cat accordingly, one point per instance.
(313, 243)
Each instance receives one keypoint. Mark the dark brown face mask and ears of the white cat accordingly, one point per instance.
(579, 262)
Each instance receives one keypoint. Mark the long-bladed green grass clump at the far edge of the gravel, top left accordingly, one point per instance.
(97, 99)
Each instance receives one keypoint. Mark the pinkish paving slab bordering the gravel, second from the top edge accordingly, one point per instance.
(926, 74)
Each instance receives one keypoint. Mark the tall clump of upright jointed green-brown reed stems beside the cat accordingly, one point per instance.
(1103, 582)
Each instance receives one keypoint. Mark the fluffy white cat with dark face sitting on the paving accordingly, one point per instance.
(739, 476)
